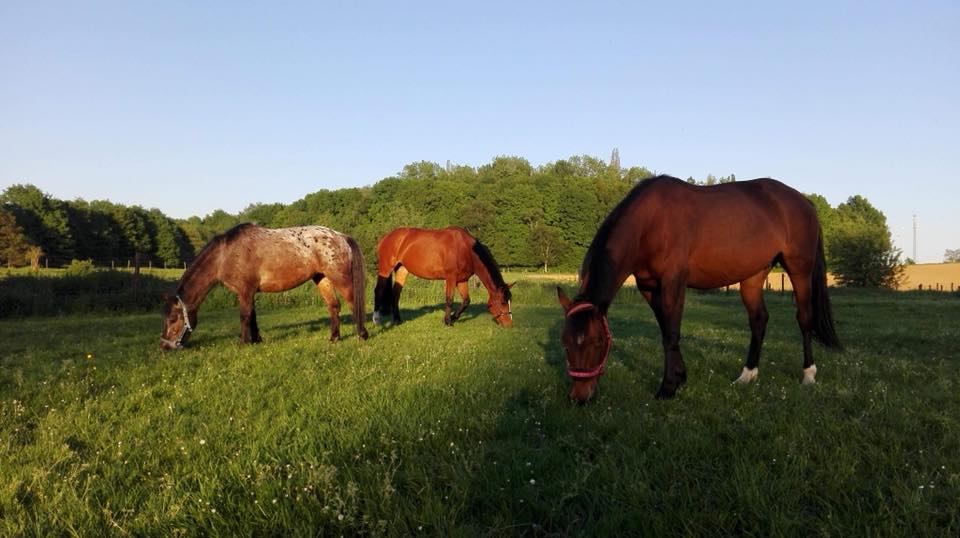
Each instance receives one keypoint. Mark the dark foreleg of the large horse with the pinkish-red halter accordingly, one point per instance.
(667, 303)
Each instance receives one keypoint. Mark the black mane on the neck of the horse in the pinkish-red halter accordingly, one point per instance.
(596, 262)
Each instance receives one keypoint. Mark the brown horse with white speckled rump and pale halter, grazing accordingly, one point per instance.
(248, 258)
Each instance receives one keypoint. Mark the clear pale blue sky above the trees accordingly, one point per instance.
(190, 107)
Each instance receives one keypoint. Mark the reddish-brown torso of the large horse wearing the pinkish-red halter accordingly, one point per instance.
(717, 235)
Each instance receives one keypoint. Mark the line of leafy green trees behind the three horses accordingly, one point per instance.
(530, 217)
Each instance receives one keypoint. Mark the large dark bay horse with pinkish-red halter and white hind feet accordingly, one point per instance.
(670, 235)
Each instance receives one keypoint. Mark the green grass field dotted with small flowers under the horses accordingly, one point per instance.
(467, 431)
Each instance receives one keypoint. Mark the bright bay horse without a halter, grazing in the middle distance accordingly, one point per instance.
(451, 255)
